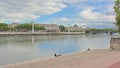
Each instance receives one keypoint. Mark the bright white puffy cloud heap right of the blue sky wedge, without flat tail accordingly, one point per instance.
(90, 15)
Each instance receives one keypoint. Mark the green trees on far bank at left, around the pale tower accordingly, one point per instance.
(20, 27)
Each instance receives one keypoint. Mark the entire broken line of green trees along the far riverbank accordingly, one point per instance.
(28, 27)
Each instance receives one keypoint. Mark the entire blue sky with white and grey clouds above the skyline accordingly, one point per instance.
(94, 13)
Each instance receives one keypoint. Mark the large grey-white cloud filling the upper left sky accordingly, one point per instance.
(19, 10)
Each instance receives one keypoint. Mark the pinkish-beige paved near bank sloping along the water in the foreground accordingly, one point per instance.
(98, 58)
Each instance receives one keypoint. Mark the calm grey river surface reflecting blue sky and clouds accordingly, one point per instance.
(20, 48)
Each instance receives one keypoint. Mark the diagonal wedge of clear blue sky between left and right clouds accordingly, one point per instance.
(65, 13)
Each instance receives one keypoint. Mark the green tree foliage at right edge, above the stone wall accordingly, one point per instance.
(117, 11)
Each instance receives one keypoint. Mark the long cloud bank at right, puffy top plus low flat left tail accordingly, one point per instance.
(87, 16)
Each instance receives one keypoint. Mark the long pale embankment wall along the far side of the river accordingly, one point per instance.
(41, 33)
